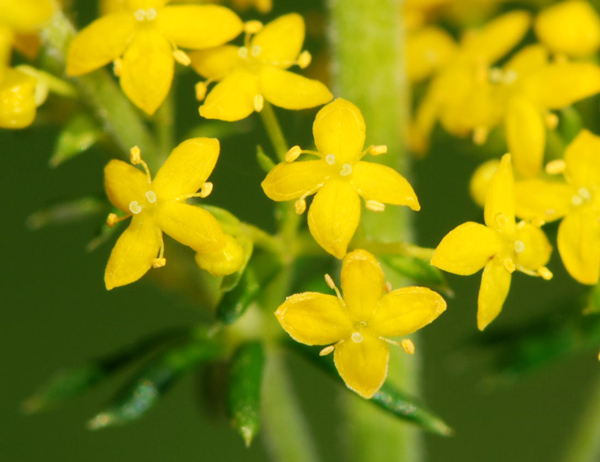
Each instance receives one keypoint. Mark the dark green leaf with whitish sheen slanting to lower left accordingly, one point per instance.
(155, 378)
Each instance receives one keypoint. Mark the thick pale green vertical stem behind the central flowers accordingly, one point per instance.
(368, 68)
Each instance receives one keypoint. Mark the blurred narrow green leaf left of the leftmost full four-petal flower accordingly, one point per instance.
(67, 212)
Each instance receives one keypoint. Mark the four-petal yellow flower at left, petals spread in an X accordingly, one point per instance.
(160, 205)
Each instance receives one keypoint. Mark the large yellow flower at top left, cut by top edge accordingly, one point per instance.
(147, 35)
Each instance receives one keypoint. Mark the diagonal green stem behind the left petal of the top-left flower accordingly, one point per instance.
(98, 90)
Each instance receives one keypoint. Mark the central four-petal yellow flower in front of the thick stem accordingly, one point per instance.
(339, 178)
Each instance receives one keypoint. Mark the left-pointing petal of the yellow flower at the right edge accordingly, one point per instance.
(548, 200)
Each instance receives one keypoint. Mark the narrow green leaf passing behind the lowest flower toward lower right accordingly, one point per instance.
(389, 398)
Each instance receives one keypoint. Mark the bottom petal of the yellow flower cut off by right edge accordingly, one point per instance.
(579, 245)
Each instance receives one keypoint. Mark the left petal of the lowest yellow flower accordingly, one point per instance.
(314, 319)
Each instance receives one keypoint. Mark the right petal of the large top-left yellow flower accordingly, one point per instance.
(199, 26)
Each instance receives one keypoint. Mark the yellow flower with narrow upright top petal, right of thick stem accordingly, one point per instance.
(500, 247)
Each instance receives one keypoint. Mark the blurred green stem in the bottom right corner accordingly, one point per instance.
(585, 445)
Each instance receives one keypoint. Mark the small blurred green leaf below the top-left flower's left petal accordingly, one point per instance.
(80, 134)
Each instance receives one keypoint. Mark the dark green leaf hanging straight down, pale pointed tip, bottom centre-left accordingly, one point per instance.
(243, 394)
